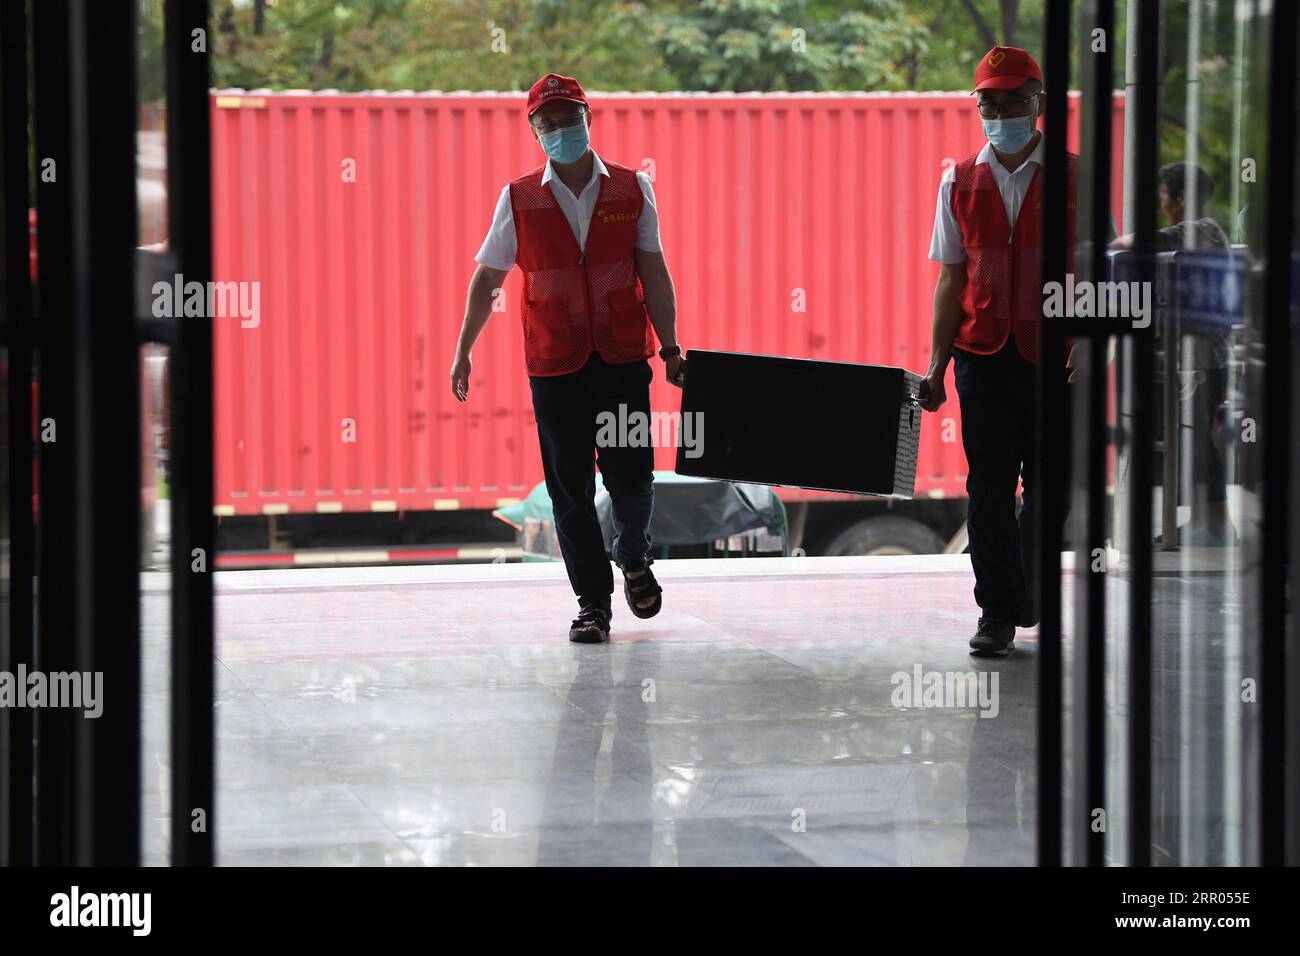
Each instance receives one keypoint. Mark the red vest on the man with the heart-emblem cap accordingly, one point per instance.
(1004, 289)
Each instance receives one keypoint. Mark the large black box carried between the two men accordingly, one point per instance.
(829, 426)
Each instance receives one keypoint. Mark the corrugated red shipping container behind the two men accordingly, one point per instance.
(795, 224)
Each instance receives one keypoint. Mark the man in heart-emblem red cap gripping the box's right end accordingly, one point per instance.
(989, 305)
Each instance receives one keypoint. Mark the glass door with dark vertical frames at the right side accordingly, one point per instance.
(1176, 633)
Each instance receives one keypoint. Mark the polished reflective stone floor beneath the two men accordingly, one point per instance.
(440, 716)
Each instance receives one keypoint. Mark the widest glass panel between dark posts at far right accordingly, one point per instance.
(1204, 581)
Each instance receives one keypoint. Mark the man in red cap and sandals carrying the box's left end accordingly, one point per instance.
(586, 233)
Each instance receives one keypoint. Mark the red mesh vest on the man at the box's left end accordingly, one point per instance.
(575, 302)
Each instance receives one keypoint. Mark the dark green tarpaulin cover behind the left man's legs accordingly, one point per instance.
(687, 512)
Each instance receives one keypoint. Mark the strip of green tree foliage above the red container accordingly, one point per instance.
(621, 45)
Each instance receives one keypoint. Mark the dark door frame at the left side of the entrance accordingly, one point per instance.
(73, 784)
